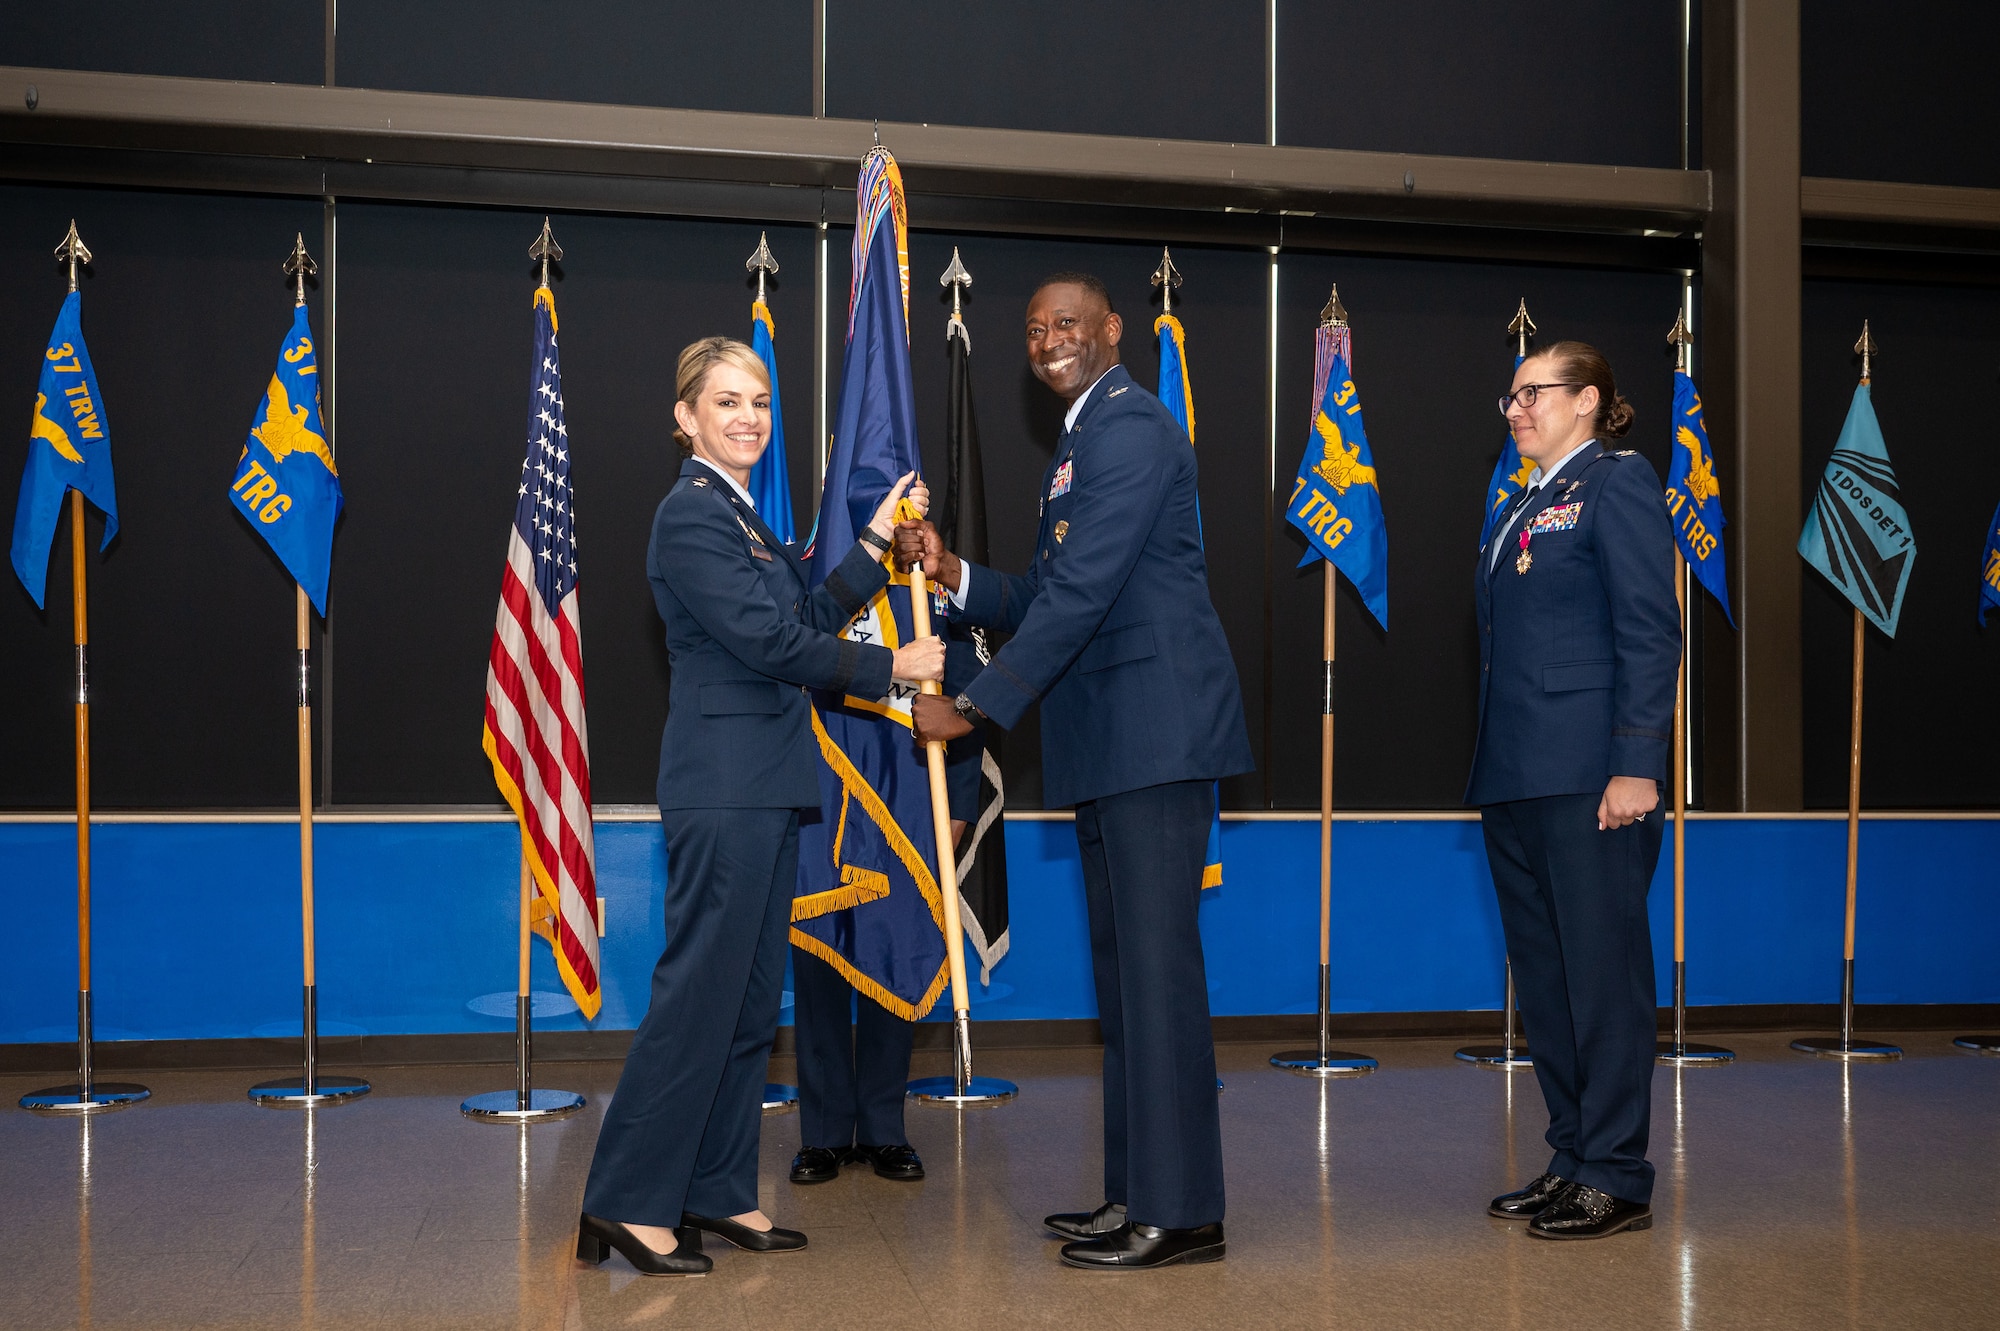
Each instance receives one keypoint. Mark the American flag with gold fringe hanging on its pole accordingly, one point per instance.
(535, 682)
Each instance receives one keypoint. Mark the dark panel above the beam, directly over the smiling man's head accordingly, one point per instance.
(1173, 69)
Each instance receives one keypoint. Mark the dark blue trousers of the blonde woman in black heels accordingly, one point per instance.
(683, 1128)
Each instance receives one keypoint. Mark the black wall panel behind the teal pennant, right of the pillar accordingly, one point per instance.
(1929, 732)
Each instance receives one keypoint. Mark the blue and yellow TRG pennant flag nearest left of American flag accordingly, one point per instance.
(287, 487)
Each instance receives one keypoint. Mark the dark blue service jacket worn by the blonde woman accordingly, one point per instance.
(747, 641)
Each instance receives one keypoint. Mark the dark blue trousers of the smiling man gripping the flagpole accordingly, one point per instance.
(1143, 882)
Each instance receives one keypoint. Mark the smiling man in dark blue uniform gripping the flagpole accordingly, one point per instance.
(1141, 714)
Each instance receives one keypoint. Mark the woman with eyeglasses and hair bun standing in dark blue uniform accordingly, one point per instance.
(1579, 659)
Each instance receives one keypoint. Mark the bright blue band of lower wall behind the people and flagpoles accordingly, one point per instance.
(197, 924)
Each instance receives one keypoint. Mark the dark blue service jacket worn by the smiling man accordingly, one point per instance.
(1113, 627)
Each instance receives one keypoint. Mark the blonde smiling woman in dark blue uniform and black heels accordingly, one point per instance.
(679, 1148)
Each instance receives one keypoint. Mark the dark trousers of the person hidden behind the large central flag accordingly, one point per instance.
(853, 1060)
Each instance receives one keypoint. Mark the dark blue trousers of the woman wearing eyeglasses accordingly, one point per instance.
(1573, 904)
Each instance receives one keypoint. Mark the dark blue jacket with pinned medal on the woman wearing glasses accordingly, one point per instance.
(1579, 655)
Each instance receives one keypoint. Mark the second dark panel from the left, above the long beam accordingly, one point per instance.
(635, 53)
